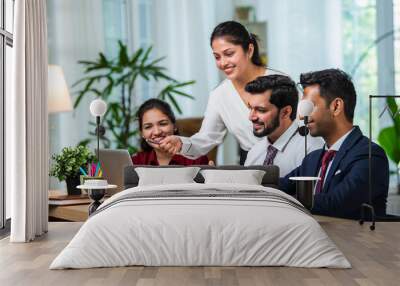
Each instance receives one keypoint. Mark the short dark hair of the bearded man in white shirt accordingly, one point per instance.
(283, 91)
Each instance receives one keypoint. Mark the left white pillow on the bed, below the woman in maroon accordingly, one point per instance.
(166, 176)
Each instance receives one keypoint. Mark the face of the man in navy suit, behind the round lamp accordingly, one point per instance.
(321, 121)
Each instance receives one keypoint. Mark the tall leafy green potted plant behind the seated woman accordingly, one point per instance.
(114, 81)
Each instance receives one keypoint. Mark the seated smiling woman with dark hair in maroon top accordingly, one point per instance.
(156, 121)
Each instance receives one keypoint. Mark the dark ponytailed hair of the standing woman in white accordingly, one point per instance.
(237, 34)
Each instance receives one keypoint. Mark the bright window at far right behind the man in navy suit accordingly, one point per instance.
(367, 41)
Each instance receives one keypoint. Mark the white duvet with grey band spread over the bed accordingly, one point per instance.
(183, 231)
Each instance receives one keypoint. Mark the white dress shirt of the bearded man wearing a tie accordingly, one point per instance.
(290, 147)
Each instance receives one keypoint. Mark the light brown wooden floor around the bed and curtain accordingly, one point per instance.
(375, 257)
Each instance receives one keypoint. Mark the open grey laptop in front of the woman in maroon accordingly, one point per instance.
(113, 163)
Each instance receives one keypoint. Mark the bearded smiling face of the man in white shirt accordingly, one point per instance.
(263, 114)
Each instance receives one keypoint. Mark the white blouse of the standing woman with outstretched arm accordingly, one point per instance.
(225, 111)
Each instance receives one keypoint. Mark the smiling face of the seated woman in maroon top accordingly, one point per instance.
(155, 127)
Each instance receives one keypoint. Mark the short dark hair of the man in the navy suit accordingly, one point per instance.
(333, 83)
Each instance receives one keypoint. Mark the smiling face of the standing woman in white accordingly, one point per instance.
(231, 58)
